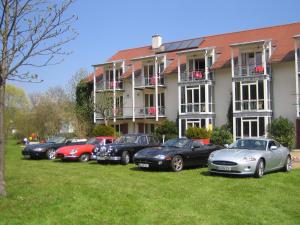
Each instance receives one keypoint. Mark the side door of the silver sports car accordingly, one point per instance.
(274, 156)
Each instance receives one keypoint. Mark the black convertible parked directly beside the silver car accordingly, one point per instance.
(175, 154)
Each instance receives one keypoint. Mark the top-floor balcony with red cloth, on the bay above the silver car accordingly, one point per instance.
(251, 70)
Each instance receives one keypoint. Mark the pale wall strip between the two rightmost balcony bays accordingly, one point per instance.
(223, 81)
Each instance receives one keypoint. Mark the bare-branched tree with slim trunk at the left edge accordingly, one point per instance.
(32, 33)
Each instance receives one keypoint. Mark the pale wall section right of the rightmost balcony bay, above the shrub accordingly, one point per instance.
(284, 90)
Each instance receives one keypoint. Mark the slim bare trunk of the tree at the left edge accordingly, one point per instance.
(2, 182)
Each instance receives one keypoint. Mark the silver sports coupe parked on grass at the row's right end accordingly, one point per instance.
(250, 157)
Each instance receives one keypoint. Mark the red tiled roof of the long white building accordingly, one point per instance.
(281, 37)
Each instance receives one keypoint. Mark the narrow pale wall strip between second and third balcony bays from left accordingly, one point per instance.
(171, 97)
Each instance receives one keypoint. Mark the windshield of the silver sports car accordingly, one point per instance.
(249, 144)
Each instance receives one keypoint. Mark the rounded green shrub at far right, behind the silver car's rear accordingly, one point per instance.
(283, 131)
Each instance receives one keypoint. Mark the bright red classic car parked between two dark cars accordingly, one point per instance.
(82, 152)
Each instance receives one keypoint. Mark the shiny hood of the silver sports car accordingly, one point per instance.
(235, 154)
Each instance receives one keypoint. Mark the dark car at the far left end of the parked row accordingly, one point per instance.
(47, 150)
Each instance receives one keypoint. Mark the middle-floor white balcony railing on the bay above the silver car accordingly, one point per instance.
(252, 105)
